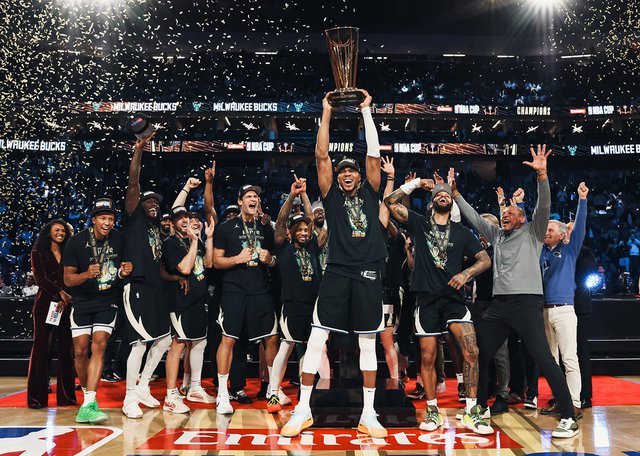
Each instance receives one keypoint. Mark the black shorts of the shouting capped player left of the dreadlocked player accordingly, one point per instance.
(255, 313)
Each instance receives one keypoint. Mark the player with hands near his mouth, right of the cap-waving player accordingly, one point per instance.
(185, 255)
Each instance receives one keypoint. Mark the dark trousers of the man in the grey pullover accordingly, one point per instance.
(522, 314)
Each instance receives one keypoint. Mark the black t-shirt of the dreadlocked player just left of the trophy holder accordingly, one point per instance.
(300, 272)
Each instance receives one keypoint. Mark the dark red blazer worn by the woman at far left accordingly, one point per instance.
(49, 276)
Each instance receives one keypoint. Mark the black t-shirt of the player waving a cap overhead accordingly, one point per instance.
(143, 248)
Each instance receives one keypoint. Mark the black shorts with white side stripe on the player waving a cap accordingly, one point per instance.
(146, 311)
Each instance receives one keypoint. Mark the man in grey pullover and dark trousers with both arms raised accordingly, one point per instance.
(517, 290)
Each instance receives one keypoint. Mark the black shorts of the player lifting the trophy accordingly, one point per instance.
(347, 304)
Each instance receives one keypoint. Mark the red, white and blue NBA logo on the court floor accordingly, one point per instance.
(54, 440)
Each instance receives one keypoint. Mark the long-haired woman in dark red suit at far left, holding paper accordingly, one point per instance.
(47, 270)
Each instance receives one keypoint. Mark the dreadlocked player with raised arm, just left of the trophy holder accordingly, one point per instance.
(299, 264)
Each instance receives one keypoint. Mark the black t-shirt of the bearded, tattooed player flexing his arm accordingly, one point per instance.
(427, 277)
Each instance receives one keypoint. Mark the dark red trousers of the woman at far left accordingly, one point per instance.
(45, 337)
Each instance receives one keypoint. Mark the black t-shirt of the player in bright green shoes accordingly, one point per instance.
(104, 290)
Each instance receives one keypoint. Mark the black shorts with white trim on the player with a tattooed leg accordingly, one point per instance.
(433, 316)
